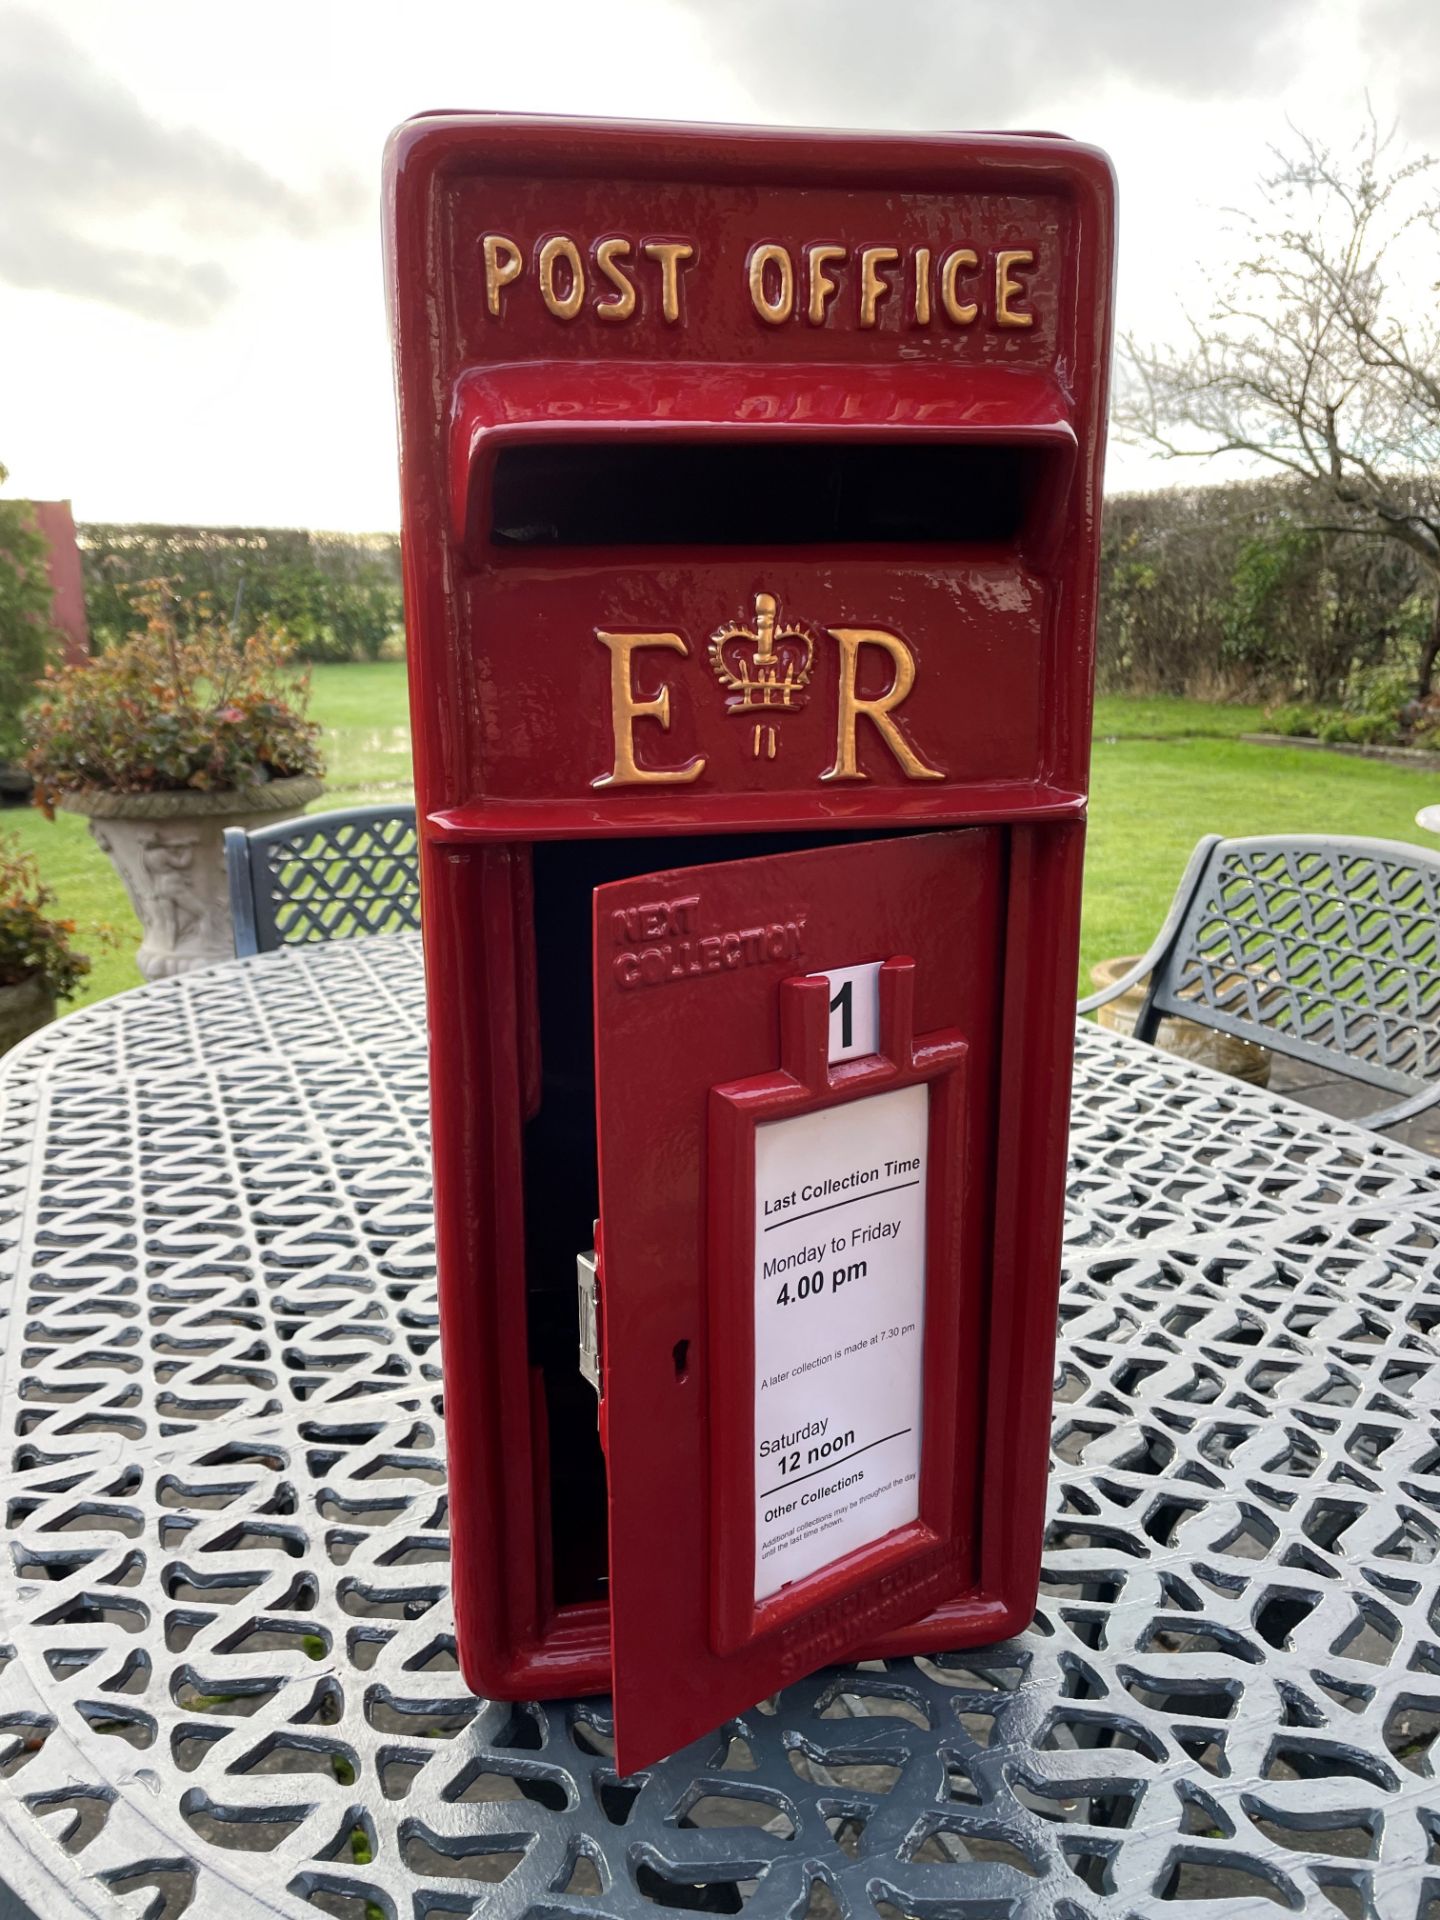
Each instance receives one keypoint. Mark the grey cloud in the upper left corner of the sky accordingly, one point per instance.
(82, 155)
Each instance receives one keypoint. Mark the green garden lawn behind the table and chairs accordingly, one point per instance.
(1164, 775)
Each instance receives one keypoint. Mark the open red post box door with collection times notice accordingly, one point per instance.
(796, 1107)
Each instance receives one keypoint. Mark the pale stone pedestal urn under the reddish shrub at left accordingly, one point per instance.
(170, 852)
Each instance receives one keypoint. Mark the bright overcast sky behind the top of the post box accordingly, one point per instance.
(191, 297)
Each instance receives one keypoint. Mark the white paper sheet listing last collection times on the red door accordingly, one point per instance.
(840, 1320)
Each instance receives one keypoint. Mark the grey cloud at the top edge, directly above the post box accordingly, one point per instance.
(965, 62)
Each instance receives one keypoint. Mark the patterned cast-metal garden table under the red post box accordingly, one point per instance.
(228, 1675)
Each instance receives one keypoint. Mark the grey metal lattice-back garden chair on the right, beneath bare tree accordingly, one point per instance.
(1316, 948)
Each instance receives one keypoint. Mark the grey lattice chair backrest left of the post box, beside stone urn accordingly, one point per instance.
(324, 878)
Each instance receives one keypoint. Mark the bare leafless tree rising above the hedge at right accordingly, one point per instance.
(1322, 354)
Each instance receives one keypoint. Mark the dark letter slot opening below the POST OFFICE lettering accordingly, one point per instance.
(767, 492)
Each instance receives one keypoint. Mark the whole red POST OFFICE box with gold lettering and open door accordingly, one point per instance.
(750, 510)
